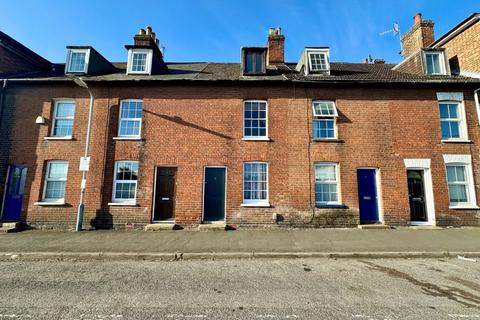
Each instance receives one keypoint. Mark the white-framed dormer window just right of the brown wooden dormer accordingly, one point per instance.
(314, 61)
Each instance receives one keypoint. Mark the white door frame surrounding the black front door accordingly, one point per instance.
(423, 165)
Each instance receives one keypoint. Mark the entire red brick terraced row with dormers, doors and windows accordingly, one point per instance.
(260, 142)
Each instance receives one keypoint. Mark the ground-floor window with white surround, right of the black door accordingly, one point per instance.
(461, 188)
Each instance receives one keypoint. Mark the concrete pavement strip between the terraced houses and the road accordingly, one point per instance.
(244, 243)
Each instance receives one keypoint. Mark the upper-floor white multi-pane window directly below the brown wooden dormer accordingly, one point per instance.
(255, 120)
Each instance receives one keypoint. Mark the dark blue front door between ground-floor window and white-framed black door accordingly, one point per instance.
(367, 195)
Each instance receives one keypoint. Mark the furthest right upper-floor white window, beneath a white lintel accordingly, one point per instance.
(452, 120)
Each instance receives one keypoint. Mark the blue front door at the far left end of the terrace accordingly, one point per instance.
(12, 207)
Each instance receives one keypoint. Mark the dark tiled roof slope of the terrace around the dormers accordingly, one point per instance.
(210, 71)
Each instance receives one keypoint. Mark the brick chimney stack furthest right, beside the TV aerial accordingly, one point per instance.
(419, 36)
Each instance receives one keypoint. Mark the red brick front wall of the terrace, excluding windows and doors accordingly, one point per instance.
(190, 127)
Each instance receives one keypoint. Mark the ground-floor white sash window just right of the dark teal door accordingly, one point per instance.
(255, 183)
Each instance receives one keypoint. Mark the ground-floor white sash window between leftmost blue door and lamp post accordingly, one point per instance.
(55, 181)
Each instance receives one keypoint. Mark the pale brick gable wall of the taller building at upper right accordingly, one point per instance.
(462, 50)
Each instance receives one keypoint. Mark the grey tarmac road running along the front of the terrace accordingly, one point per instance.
(241, 289)
